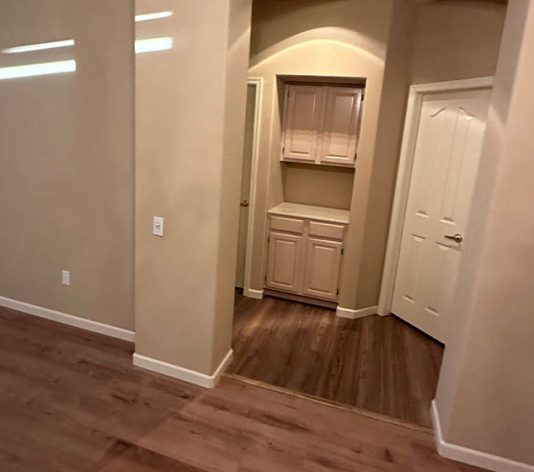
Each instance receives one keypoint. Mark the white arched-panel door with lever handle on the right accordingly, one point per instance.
(446, 158)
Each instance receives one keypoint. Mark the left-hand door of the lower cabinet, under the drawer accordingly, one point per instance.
(284, 263)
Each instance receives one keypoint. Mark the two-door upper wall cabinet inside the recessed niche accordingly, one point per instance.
(321, 124)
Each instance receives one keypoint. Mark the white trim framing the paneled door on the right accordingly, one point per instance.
(402, 187)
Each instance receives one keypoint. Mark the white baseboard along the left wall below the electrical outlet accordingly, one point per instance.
(71, 320)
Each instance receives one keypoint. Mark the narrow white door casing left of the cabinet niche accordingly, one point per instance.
(258, 82)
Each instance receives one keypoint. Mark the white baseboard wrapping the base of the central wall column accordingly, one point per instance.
(181, 373)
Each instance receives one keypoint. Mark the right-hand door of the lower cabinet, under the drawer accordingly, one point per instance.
(321, 272)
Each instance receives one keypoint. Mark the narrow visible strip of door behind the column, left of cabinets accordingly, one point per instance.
(245, 186)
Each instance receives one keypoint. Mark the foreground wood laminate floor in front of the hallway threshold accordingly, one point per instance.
(71, 401)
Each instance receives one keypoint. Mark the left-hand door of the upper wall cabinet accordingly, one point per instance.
(302, 115)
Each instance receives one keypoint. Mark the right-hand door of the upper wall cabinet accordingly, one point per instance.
(340, 134)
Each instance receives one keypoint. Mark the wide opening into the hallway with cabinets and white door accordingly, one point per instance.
(315, 319)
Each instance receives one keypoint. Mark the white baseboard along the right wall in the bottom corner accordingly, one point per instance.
(472, 456)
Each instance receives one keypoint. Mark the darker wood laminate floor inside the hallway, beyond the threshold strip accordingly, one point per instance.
(380, 364)
